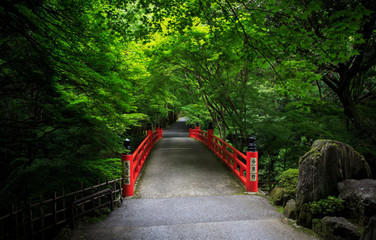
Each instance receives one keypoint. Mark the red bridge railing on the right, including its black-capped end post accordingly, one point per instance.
(244, 167)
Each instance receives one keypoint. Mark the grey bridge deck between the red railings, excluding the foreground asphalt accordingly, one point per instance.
(181, 166)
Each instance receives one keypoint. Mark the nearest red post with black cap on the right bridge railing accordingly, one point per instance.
(251, 184)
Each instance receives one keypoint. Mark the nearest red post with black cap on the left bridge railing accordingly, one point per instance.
(127, 162)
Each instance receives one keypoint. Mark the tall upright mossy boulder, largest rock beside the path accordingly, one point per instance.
(320, 169)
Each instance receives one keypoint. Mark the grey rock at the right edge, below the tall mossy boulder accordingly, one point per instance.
(360, 198)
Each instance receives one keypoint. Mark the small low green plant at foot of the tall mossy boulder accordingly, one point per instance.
(328, 206)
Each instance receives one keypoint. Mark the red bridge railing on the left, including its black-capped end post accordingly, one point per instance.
(133, 163)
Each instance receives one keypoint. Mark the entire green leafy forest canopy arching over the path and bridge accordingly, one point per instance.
(79, 76)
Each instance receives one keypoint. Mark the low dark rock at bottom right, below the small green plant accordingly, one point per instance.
(336, 228)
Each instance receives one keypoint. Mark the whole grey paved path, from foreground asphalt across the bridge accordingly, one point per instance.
(185, 192)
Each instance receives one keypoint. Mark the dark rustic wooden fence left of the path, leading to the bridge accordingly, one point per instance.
(44, 218)
